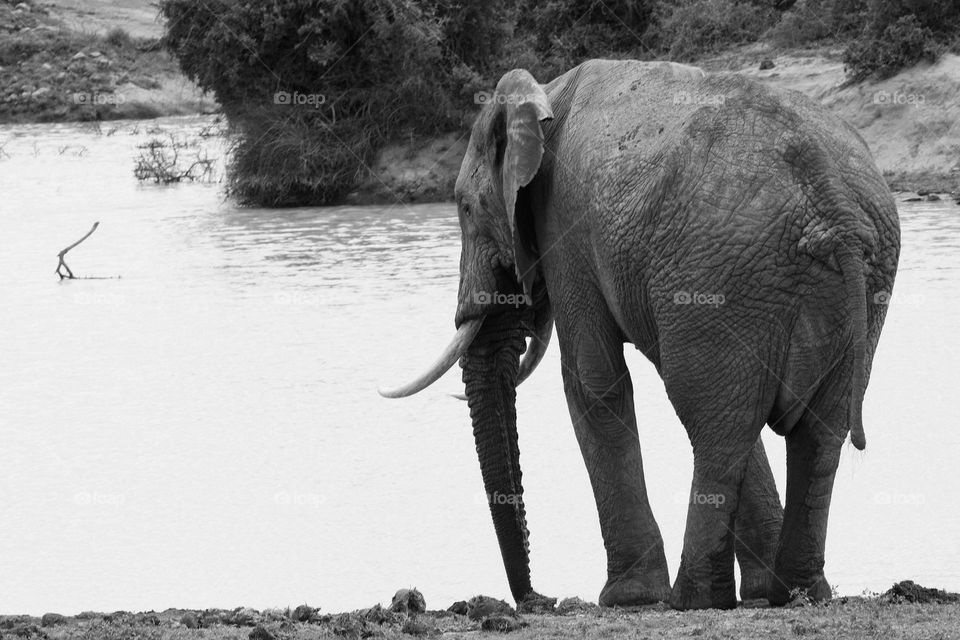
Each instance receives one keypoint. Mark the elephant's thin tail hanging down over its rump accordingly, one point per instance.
(851, 266)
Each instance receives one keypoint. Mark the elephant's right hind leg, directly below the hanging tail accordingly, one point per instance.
(813, 453)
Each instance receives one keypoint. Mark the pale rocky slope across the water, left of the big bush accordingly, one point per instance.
(73, 61)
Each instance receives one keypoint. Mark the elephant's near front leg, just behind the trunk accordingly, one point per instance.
(600, 398)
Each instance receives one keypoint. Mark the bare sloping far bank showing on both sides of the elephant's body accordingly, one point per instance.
(911, 122)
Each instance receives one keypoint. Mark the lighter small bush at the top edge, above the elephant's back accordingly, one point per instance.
(687, 29)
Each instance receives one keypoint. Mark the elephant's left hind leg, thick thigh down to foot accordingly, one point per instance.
(722, 400)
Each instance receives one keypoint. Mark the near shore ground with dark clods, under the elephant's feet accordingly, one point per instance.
(887, 616)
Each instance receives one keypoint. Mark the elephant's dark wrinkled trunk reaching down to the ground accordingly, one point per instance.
(490, 370)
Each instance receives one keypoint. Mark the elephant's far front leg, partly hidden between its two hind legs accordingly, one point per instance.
(758, 522)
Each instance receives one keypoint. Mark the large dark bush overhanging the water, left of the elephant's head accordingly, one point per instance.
(312, 89)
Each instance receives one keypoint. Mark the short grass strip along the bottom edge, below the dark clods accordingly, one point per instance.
(848, 618)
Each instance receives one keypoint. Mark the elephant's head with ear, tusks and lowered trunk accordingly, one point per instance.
(501, 300)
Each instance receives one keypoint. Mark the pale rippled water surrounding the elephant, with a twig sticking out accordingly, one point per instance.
(204, 430)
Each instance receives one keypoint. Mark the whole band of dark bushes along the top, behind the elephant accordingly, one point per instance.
(313, 89)
